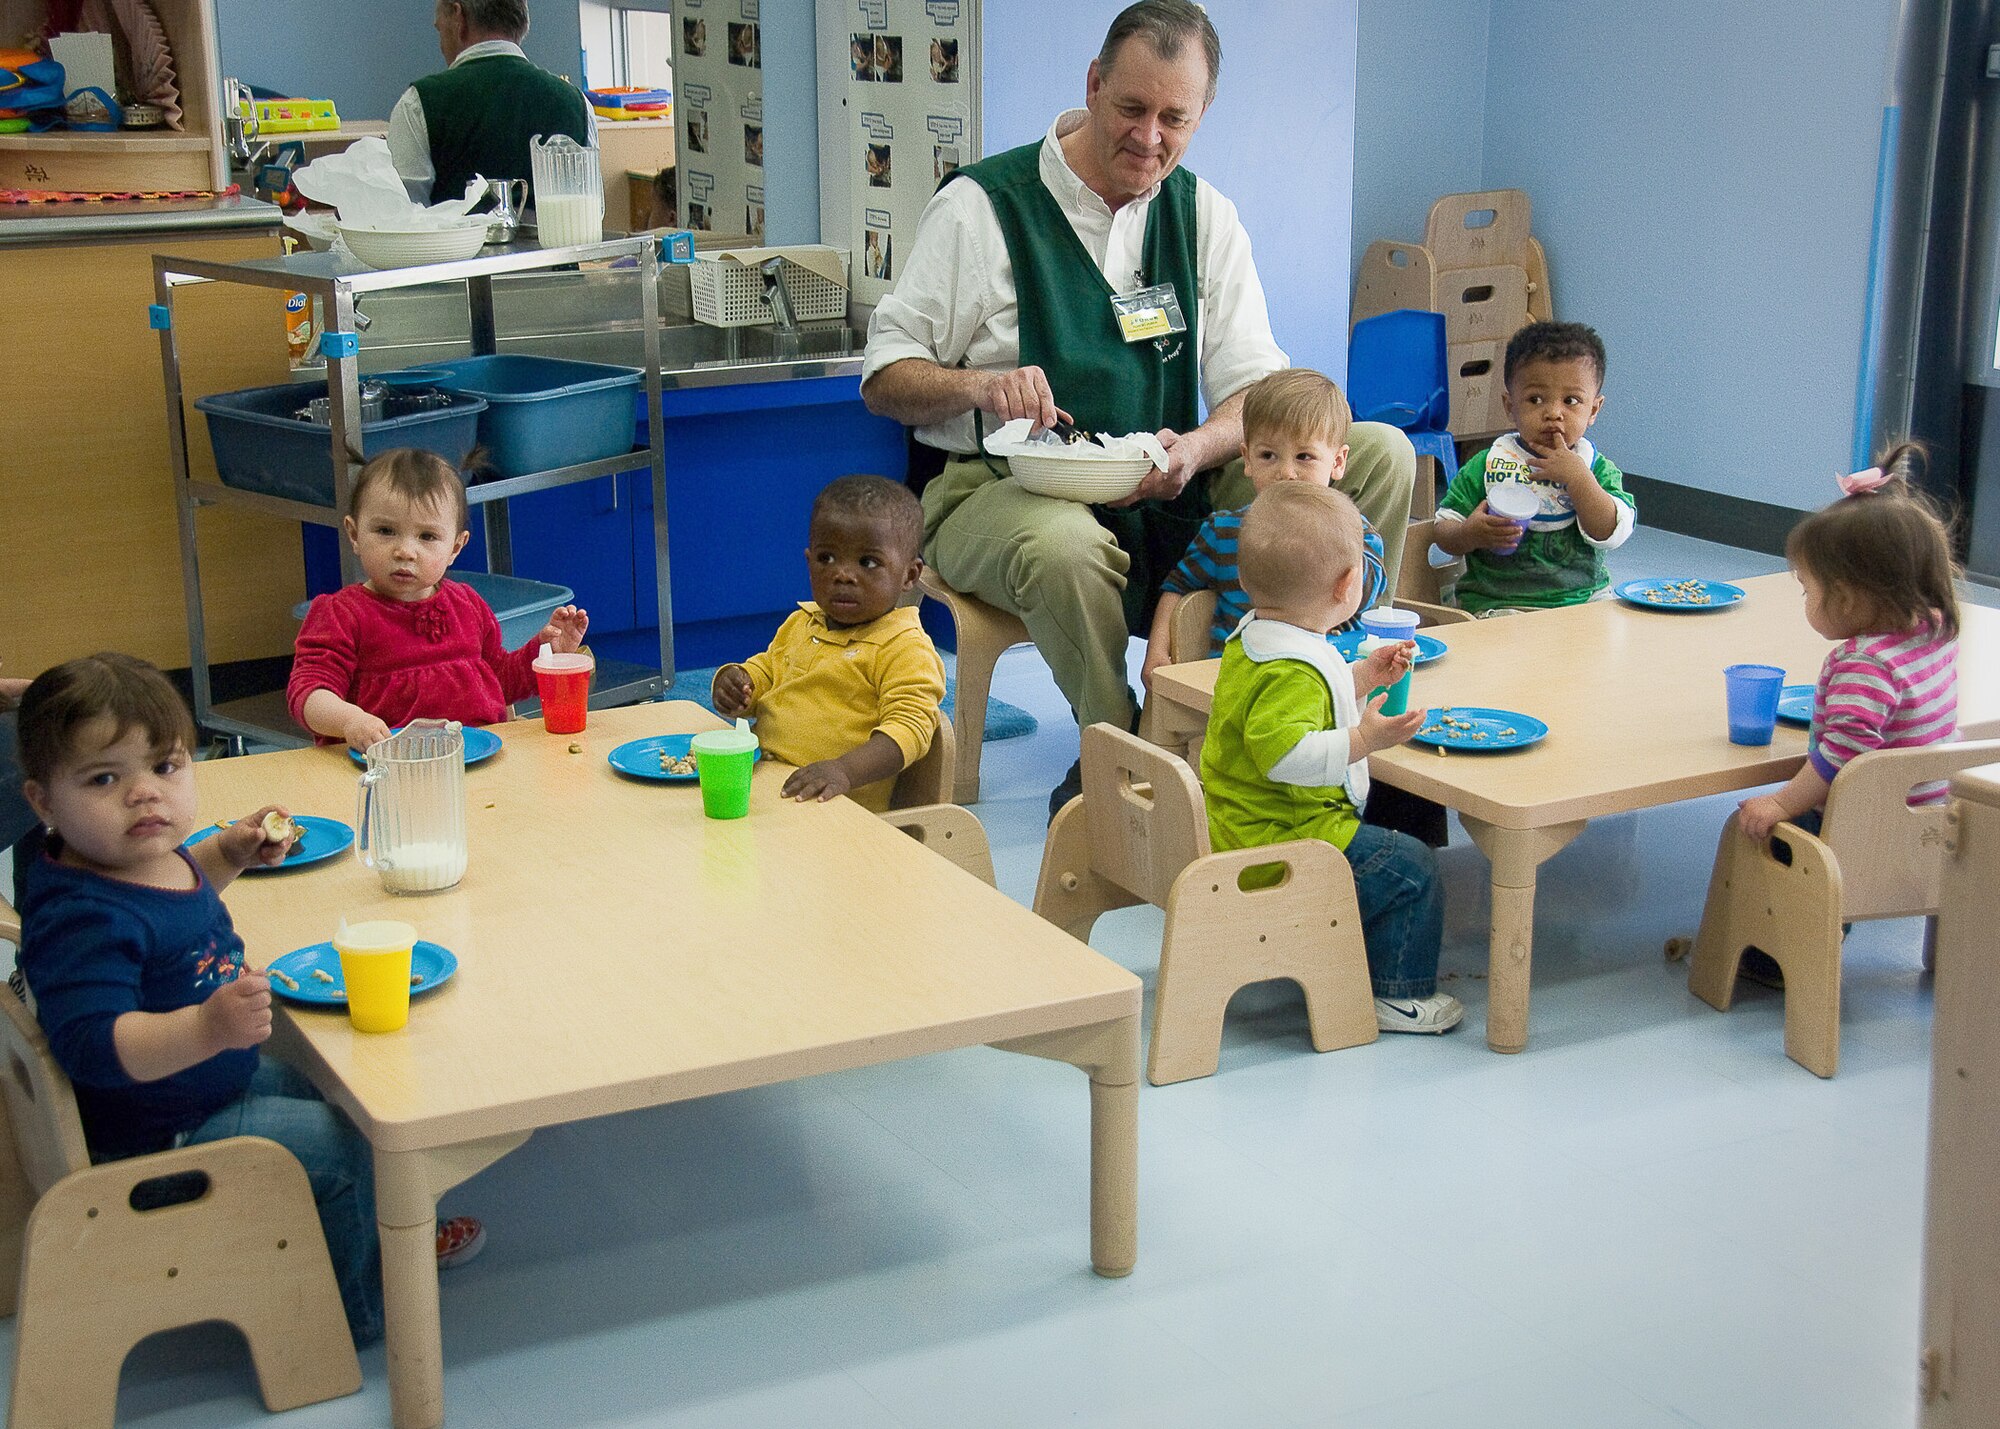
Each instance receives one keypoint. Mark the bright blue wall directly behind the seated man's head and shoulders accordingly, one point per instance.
(1279, 139)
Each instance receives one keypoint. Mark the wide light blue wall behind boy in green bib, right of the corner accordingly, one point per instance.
(1705, 181)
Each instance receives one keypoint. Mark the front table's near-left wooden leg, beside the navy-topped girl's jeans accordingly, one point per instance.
(409, 1186)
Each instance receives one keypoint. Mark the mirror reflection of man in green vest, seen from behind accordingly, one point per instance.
(479, 115)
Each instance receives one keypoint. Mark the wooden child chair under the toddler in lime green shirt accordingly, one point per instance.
(1139, 834)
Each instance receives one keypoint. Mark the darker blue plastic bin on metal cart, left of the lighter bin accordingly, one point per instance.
(263, 447)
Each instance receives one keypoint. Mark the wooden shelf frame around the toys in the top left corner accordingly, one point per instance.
(127, 161)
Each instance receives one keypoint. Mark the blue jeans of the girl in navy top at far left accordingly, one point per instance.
(285, 1108)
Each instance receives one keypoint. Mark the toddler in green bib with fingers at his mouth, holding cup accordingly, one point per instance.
(1555, 377)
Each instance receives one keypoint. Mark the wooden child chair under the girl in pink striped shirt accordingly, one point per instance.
(1875, 858)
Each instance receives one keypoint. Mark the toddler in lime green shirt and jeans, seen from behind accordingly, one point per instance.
(1289, 740)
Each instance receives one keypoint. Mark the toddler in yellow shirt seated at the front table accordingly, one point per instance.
(851, 685)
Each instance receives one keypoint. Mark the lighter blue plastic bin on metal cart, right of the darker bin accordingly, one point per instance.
(545, 413)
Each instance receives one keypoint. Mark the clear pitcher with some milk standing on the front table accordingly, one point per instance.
(411, 826)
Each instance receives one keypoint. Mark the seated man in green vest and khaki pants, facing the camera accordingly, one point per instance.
(1007, 309)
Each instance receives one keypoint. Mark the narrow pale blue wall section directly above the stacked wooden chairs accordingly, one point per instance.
(1421, 97)
